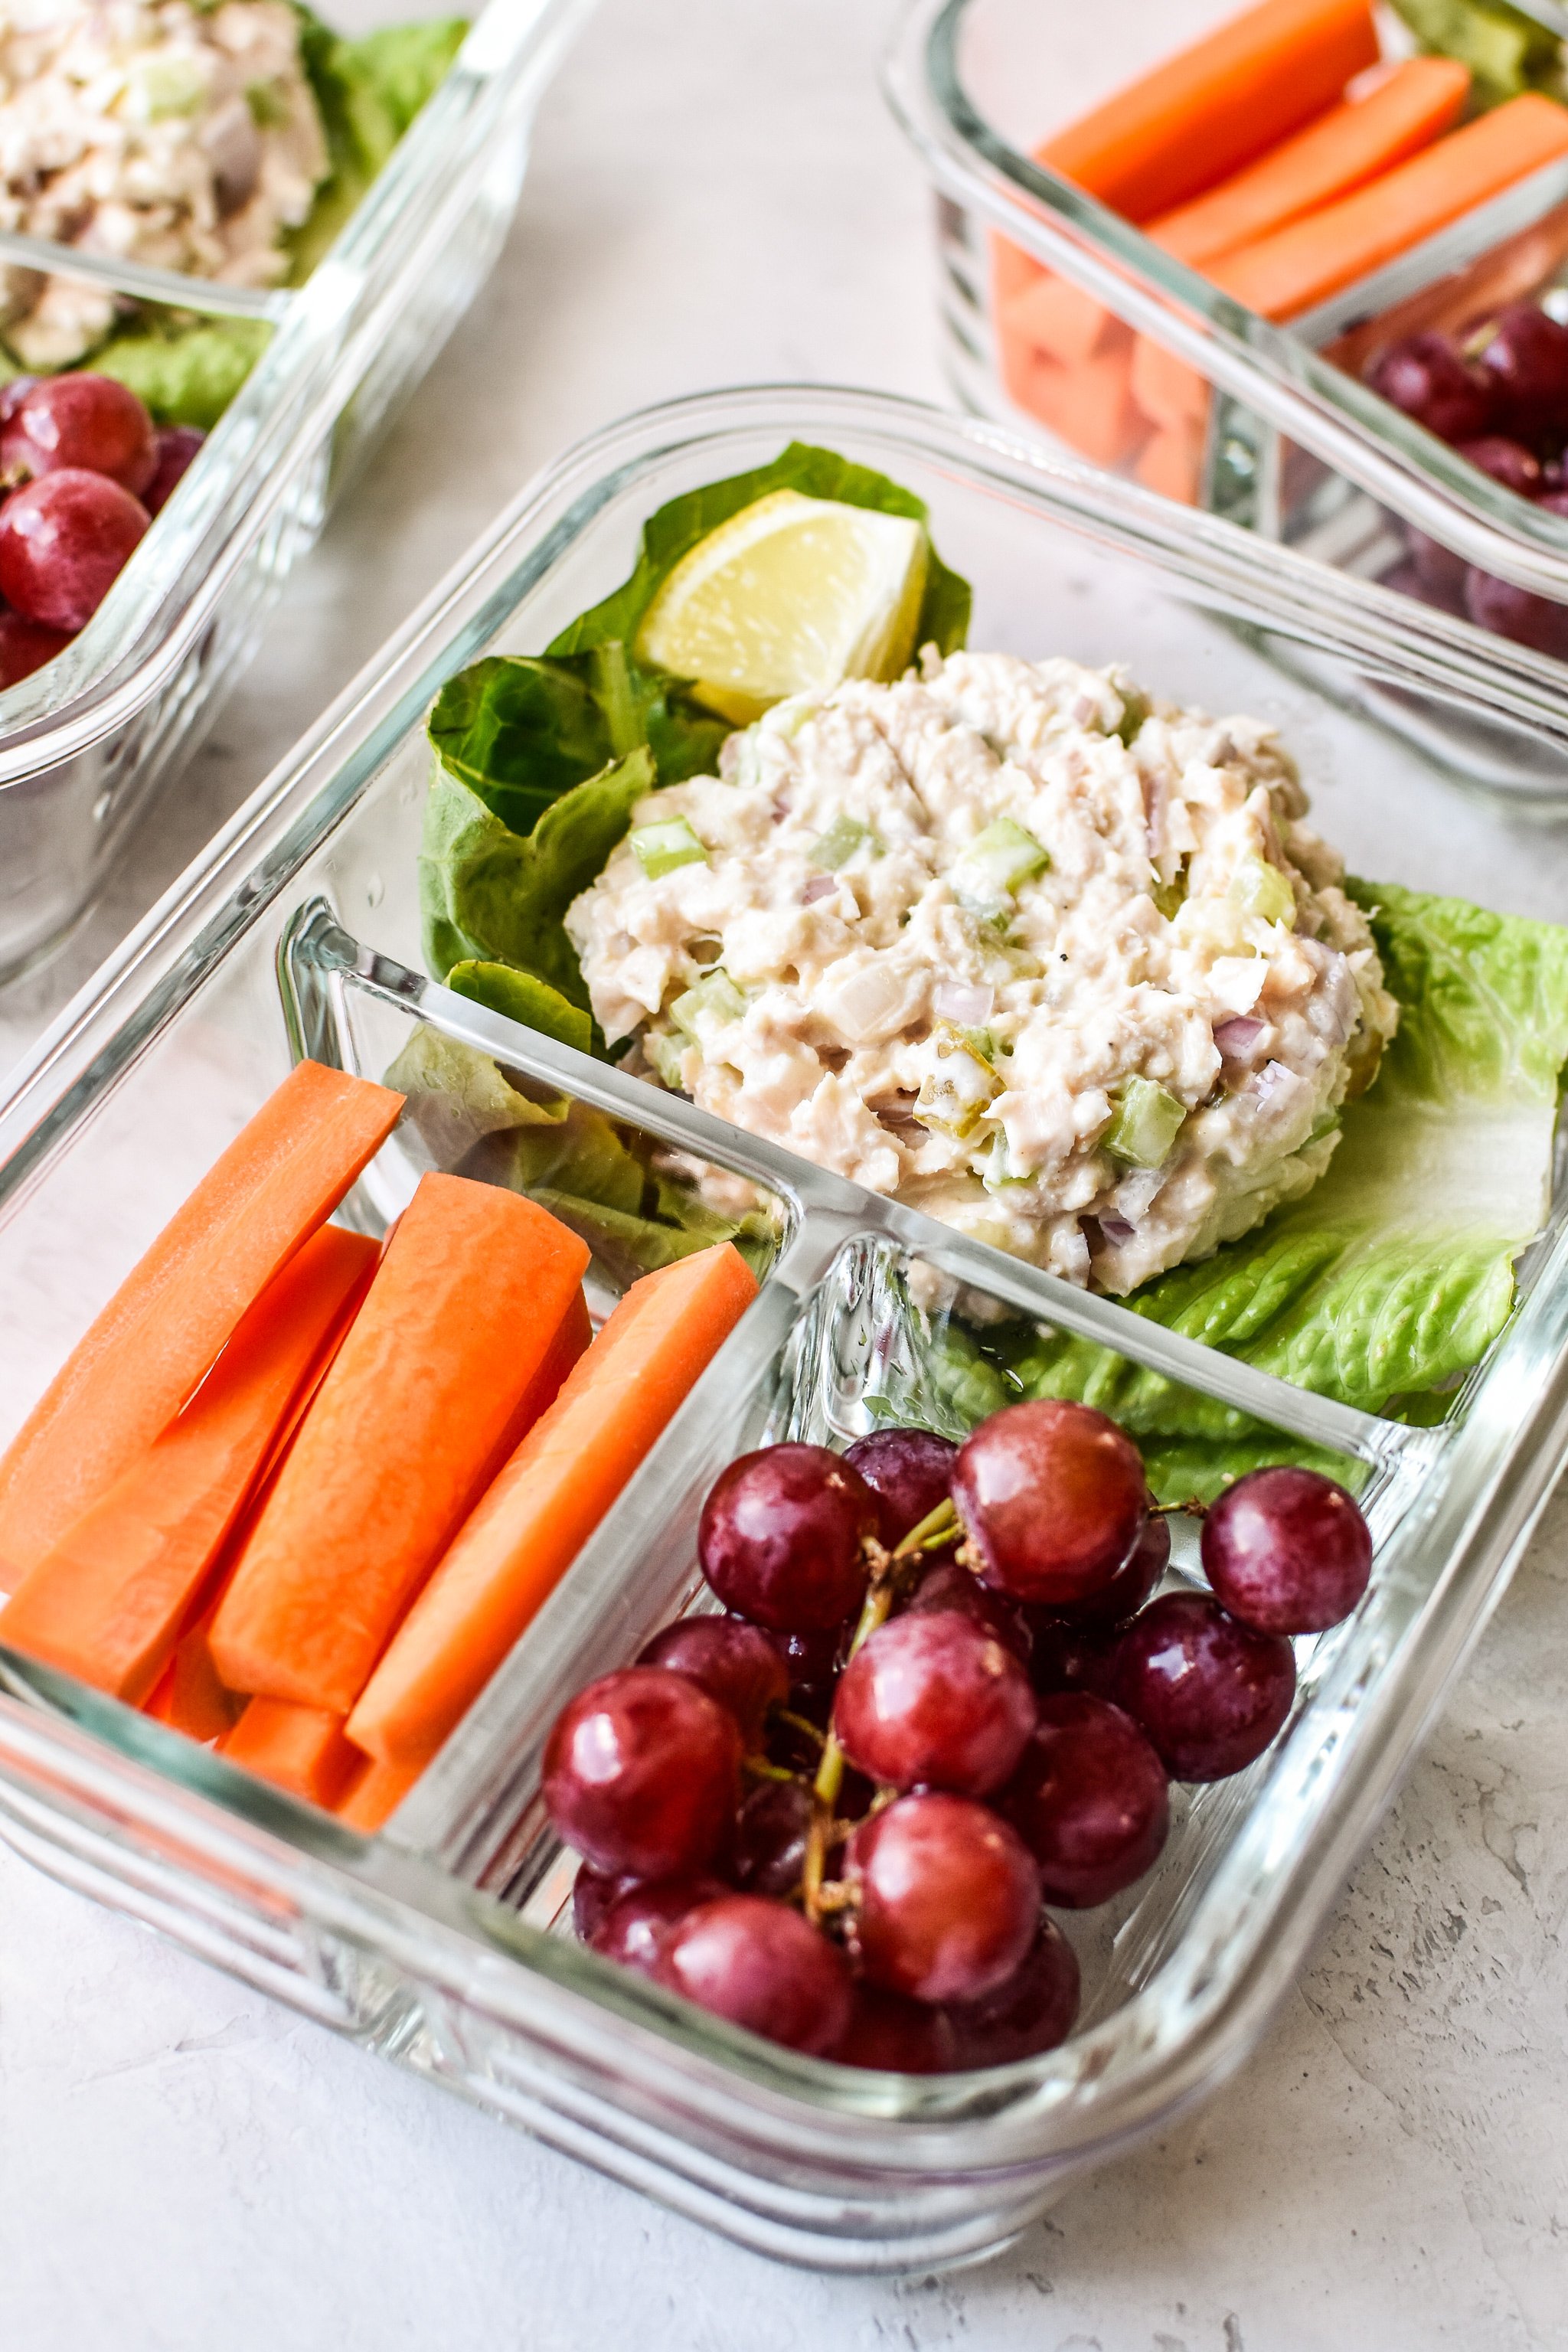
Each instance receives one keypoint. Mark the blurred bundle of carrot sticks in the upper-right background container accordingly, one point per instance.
(1285, 161)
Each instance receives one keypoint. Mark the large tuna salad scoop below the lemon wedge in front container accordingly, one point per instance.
(1010, 942)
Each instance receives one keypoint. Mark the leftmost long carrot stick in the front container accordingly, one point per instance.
(166, 1325)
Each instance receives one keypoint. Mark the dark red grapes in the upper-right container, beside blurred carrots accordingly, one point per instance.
(1506, 410)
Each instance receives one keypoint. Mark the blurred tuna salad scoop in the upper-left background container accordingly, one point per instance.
(152, 131)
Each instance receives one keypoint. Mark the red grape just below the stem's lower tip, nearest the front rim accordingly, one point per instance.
(760, 1965)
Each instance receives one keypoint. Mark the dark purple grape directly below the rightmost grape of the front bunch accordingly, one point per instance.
(1209, 1692)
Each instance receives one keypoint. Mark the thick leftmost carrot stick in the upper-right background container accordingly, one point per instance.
(1209, 109)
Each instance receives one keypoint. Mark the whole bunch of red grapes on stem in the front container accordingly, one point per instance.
(939, 1704)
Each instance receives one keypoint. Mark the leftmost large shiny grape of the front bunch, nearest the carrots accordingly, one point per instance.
(643, 1772)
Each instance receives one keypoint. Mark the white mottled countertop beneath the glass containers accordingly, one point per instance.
(718, 196)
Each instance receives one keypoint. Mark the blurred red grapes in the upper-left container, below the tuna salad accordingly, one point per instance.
(83, 472)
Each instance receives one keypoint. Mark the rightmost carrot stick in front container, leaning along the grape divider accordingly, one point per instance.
(549, 1499)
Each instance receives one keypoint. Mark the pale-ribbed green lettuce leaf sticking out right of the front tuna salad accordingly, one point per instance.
(1393, 1278)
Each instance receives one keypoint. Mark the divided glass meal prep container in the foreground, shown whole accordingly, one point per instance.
(443, 1939)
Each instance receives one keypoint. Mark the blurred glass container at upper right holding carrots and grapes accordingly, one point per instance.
(1289, 439)
